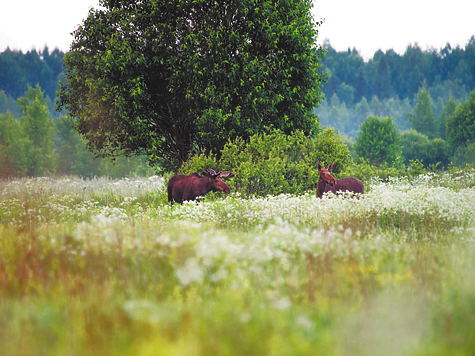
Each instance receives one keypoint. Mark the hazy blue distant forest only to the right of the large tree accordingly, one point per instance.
(389, 83)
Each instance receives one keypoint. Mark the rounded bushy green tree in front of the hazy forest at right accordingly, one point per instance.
(378, 140)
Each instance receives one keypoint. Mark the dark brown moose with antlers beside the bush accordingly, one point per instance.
(182, 187)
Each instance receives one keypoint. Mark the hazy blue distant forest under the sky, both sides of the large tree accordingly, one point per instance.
(386, 85)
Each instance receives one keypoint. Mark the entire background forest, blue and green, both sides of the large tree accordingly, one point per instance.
(423, 100)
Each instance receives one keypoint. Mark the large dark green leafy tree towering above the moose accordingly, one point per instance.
(168, 78)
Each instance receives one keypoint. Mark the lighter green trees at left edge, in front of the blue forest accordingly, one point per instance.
(36, 144)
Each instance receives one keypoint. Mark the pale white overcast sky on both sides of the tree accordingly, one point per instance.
(367, 25)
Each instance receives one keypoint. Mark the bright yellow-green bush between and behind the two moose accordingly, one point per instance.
(274, 163)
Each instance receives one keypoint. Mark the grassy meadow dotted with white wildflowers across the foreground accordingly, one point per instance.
(107, 267)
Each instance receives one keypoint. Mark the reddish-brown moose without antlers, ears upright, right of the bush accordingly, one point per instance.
(327, 183)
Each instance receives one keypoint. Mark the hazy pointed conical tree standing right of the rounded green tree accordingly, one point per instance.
(423, 119)
